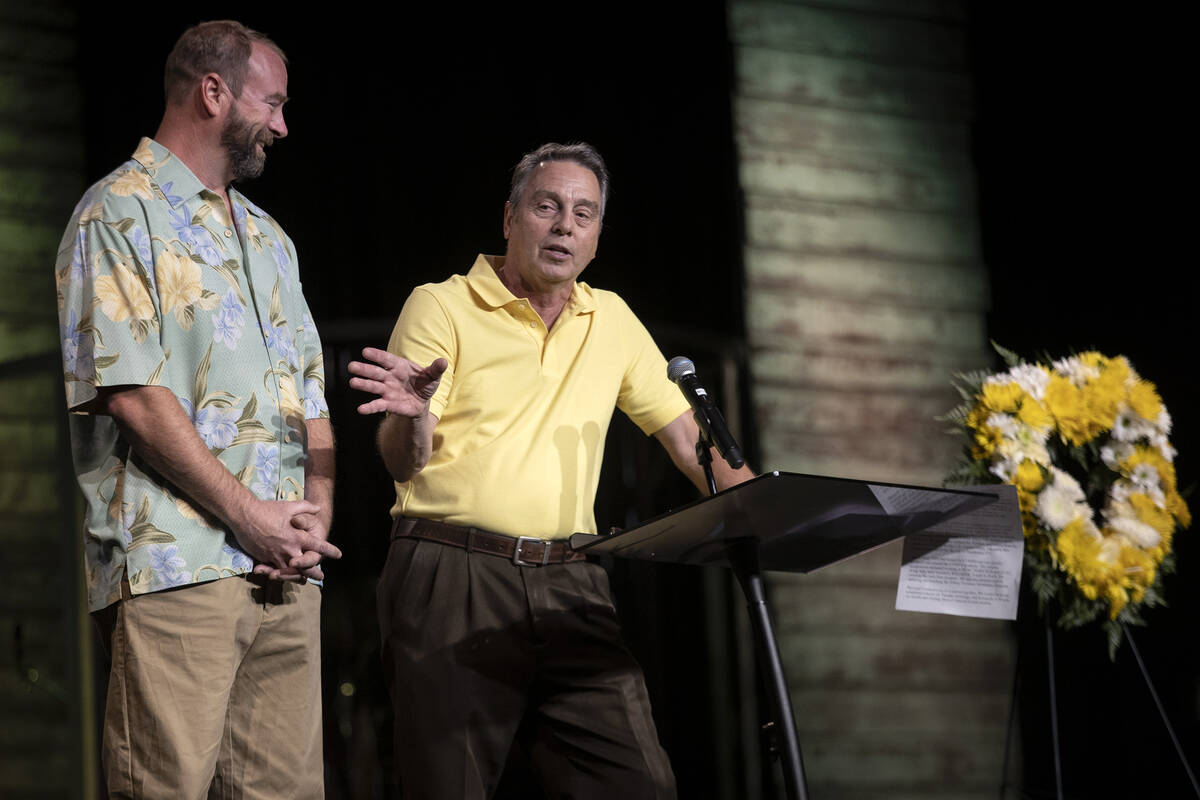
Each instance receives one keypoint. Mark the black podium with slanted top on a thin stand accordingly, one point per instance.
(788, 522)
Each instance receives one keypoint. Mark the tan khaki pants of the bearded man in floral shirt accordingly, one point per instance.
(215, 693)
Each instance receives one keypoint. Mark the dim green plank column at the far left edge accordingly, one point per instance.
(46, 721)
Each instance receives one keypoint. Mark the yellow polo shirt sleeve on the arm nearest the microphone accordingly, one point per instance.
(647, 396)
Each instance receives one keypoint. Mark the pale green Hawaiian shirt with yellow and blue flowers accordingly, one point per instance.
(158, 287)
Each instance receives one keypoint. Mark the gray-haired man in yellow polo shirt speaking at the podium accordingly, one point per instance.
(499, 388)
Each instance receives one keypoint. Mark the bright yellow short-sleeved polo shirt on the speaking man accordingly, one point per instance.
(523, 412)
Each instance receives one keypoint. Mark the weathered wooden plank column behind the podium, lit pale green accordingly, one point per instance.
(866, 291)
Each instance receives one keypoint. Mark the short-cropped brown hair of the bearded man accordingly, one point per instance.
(223, 47)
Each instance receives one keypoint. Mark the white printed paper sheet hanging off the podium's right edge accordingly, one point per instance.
(971, 566)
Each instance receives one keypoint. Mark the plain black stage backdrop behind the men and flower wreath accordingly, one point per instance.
(404, 129)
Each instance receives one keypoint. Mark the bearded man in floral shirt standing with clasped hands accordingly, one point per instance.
(202, 442)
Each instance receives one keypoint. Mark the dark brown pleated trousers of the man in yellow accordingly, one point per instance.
(481, 653)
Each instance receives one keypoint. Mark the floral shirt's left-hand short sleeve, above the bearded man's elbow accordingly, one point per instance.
(110, 316)
